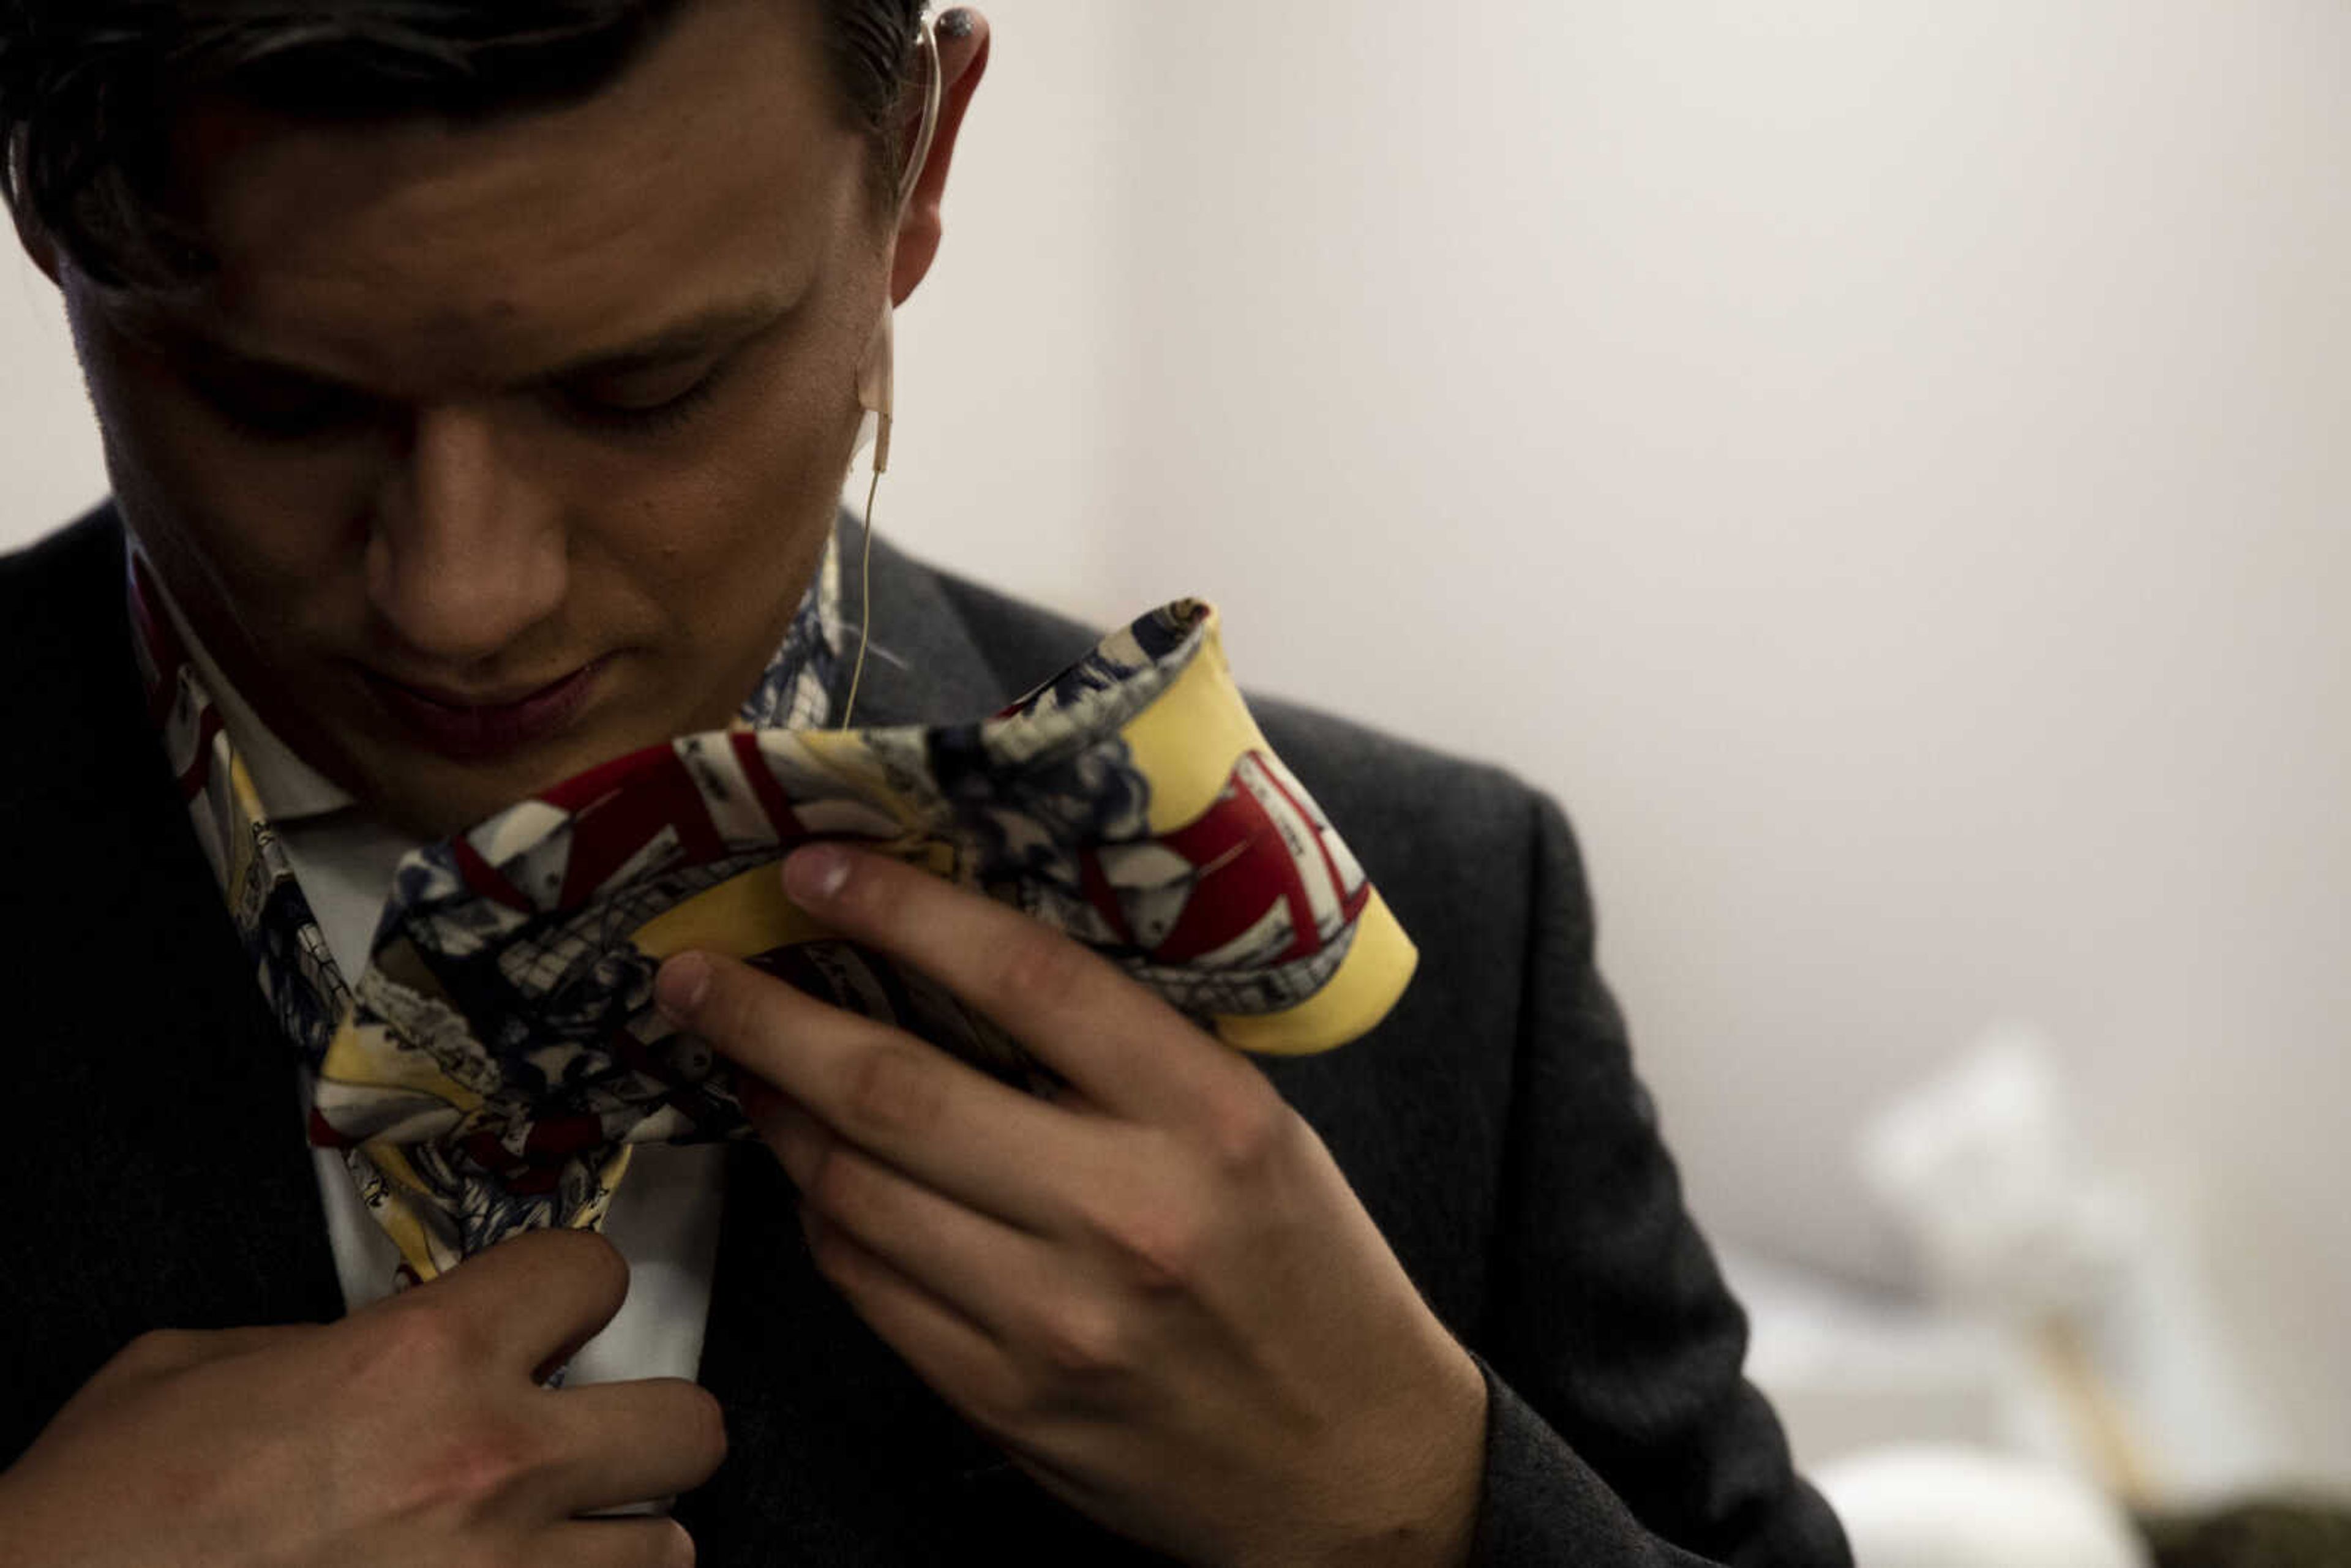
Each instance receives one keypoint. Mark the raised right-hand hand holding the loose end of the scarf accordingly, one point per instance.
(1156, 1292)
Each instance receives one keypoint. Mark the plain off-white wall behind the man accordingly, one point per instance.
(1884, 464)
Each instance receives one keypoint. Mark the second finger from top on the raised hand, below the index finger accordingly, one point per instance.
(925, 1113)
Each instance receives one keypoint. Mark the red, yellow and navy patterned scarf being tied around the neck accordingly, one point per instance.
(500, 1057)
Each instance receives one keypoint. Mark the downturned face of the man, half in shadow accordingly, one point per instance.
(497, 453)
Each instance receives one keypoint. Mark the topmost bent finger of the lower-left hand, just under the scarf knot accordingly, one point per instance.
(535, 1299)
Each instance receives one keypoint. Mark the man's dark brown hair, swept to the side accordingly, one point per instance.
(93, 88)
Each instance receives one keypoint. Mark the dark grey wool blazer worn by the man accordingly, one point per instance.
(154, 1172)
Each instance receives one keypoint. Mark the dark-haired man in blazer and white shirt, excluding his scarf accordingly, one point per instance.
(476, 384)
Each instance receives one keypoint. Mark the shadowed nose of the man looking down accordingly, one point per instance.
(467, 551)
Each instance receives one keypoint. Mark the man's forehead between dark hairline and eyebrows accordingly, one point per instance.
(422, 253)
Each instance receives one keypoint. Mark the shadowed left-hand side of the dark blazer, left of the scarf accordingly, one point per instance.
(175, 1191)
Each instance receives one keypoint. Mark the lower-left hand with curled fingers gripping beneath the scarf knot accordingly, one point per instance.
(410, 1433)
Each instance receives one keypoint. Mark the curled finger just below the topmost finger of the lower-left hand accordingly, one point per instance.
(636, 1442)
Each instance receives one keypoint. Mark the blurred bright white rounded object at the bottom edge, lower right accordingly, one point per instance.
(1962, 1508)
